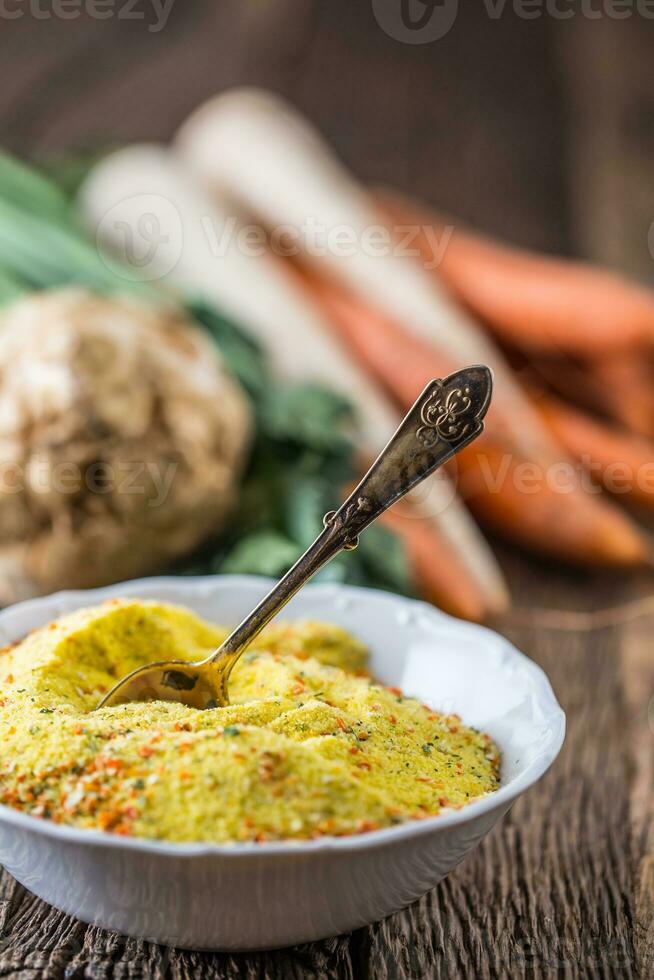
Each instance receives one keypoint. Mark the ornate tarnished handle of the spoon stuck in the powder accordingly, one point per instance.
(447, 416)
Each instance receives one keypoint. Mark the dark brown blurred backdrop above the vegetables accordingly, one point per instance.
(540, 130)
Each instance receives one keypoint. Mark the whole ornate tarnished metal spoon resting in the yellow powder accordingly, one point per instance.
(447, 416)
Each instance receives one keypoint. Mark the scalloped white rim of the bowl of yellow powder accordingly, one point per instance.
(506, 794)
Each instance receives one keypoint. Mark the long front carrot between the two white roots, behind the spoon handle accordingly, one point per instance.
(538, 503)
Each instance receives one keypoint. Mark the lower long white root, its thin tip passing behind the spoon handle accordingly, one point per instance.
(209, 249)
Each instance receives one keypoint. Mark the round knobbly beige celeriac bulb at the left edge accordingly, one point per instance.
(123, 440)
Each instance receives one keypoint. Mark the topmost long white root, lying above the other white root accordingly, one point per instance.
(255, 147)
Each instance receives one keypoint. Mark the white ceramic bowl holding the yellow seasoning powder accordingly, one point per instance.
(258, 896)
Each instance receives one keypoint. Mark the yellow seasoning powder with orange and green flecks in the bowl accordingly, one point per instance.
(310, 745)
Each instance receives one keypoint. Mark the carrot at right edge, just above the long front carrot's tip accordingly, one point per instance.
(621, 462)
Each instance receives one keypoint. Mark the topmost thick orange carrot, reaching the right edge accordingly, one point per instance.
(534, 301)
